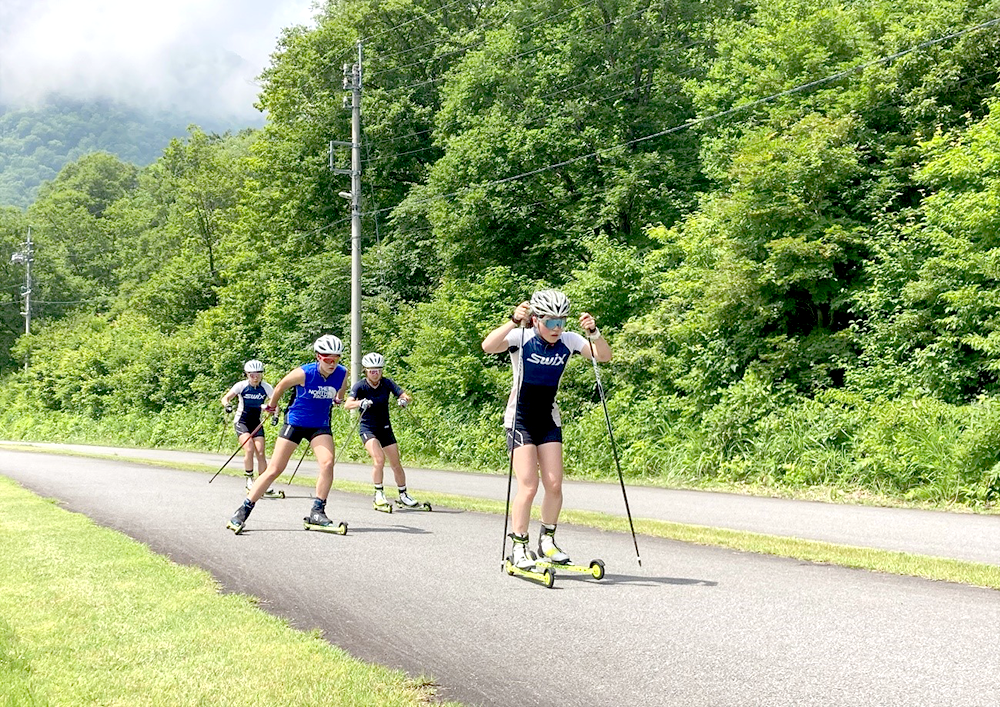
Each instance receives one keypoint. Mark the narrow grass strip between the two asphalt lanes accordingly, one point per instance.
(875, 560)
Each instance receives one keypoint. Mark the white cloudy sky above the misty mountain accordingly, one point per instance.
(194, 55)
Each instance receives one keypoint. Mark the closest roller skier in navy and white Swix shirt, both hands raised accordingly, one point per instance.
(532, 420)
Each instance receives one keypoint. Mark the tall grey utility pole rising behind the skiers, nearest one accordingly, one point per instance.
(352, 83)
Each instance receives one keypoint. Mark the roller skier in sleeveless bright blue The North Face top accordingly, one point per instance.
(318, 386)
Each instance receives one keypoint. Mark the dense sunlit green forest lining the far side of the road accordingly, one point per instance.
(783, 215)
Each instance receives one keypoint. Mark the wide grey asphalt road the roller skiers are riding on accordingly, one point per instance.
(423, 592)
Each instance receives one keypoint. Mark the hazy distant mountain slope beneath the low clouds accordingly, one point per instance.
(35, 143)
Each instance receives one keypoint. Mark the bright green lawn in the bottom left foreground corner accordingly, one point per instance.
(88, 616)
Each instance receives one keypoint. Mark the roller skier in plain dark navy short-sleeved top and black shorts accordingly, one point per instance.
(370, 396)
